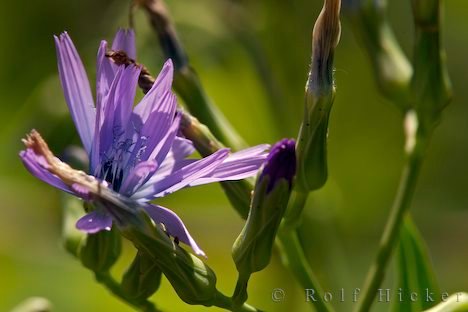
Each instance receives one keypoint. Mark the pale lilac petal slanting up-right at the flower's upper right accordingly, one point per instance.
(161, 86)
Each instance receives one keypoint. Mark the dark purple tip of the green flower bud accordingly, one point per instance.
(280, 163)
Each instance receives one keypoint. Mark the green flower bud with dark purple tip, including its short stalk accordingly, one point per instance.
(252, 249)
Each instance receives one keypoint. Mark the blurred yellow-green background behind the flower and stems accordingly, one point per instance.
(250, 62)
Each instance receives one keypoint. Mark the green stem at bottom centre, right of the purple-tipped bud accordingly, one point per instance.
(297, 262)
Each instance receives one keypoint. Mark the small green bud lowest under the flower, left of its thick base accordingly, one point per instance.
(142, 278)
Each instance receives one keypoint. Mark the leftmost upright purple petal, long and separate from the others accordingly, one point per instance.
(76, 89)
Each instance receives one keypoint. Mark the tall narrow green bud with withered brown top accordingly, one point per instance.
(320, 93)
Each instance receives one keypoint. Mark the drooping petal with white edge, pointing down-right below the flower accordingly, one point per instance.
(174, 226)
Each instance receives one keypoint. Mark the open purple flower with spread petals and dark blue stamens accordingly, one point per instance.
(134, 150)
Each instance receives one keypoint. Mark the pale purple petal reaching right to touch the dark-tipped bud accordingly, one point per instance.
(237, 166)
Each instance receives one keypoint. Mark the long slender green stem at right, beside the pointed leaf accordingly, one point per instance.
(391, 232)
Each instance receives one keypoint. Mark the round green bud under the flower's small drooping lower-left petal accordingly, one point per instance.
(99, 251)
